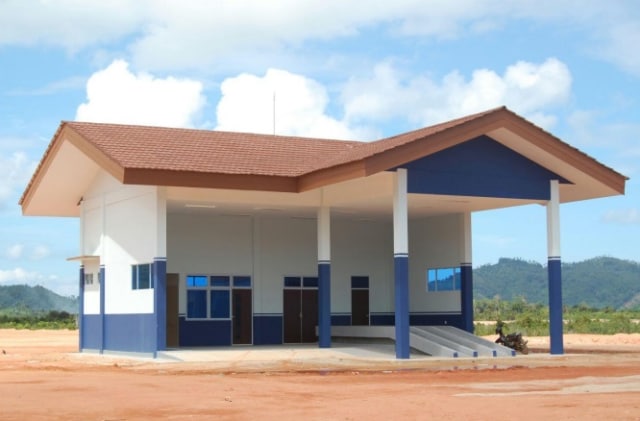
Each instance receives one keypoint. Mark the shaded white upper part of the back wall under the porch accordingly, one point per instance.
(270, 248)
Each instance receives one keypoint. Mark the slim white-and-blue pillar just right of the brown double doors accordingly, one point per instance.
(324, 277)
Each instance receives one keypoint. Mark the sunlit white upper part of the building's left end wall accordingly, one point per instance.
(124, 225)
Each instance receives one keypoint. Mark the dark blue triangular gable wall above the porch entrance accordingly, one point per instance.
(480, 167)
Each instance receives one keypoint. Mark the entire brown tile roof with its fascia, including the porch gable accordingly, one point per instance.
(202, 158)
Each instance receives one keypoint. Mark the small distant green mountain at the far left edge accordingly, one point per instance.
(28, 299)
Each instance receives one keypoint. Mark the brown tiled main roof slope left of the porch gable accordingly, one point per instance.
(203, 151)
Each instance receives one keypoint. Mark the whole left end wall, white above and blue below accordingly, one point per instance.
(120, 225)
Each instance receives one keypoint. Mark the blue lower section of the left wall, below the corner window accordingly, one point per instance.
(130, 332)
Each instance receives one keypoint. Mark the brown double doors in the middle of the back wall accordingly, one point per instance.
(300, 310)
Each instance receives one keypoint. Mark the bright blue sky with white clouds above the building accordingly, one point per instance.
(343, 69)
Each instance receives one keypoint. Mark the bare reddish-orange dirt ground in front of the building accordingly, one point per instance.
(43, 378)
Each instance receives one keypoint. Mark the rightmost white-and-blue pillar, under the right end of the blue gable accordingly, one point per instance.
(555, 270)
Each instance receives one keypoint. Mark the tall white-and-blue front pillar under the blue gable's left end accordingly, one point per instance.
(401, 263)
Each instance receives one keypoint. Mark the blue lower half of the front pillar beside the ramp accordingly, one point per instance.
(401, 269)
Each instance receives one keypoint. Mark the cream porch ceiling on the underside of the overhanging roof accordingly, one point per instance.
(365, 198)
